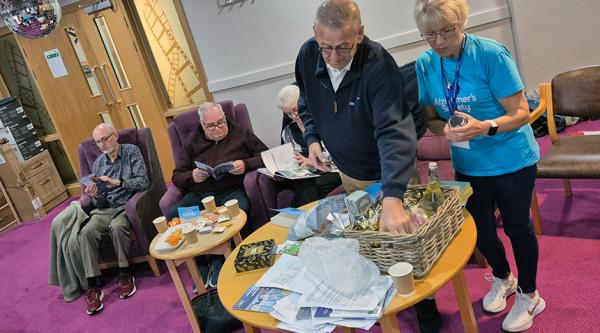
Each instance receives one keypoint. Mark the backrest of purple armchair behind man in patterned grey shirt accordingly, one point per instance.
(88, 151)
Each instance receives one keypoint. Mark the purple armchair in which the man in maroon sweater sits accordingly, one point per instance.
(188, 122)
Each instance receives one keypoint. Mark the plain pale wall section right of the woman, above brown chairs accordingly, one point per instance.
(554, 36)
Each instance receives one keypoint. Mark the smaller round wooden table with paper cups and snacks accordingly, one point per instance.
(211, 243)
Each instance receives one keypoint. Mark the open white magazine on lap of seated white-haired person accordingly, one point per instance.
(280, 161)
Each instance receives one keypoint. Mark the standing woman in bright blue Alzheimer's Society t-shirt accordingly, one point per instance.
(473, 95)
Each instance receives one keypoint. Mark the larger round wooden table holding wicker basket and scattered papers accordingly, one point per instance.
(449, 267)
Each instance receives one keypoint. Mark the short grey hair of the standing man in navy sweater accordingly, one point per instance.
(337, 14)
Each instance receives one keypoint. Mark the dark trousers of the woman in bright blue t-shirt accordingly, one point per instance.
(511, 193)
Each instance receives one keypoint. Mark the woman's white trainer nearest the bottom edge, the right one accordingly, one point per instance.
(523, 311)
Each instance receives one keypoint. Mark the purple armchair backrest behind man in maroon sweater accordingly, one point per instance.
(188, 122)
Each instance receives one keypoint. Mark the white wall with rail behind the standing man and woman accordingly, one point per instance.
(248, 50)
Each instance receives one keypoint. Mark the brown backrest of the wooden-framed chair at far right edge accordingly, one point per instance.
(576, 92)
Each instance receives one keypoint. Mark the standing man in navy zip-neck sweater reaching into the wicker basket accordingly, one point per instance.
(351, 98)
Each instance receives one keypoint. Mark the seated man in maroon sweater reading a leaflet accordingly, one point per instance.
(217, 141)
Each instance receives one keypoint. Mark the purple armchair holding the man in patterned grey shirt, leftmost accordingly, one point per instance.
(141, 209)
